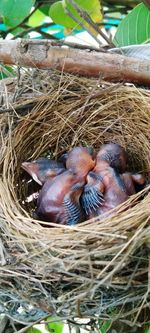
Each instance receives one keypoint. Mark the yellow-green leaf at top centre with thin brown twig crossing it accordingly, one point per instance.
(58, 12)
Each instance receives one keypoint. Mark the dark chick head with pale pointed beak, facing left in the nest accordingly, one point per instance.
(42, 168)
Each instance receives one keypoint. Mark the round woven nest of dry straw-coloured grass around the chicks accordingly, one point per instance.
(96, 266)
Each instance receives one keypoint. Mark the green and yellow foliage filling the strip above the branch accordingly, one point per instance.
(51, 18)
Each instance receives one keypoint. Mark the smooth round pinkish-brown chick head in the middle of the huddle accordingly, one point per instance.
(80, 161)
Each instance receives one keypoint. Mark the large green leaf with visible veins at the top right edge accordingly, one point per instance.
(134, 28)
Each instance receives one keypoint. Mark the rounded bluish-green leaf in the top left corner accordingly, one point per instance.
(14, 11)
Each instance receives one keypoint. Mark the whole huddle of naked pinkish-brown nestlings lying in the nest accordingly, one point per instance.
(89, 185)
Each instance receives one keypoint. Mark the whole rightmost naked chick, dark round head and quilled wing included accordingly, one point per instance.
(106, 188)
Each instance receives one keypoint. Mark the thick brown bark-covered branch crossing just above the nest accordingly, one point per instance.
(47, 54)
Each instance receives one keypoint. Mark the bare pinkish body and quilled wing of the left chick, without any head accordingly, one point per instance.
(58, 200)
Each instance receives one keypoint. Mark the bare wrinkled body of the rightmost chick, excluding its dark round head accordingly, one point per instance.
(106, 189)
